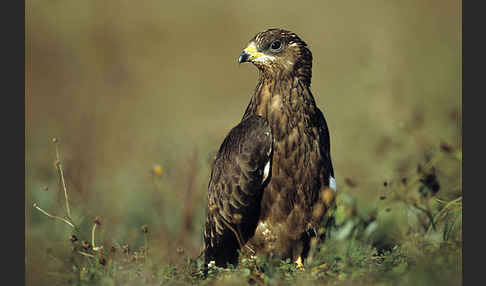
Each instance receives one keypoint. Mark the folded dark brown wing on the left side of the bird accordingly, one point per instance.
(235, 189)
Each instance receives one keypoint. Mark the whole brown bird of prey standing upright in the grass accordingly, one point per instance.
(272, 181)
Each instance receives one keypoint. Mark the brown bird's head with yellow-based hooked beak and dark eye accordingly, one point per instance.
(277, 52)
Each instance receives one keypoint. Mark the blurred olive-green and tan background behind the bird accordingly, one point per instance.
(127, 85)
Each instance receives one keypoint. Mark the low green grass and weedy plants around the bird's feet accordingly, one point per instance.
(411, 235)
